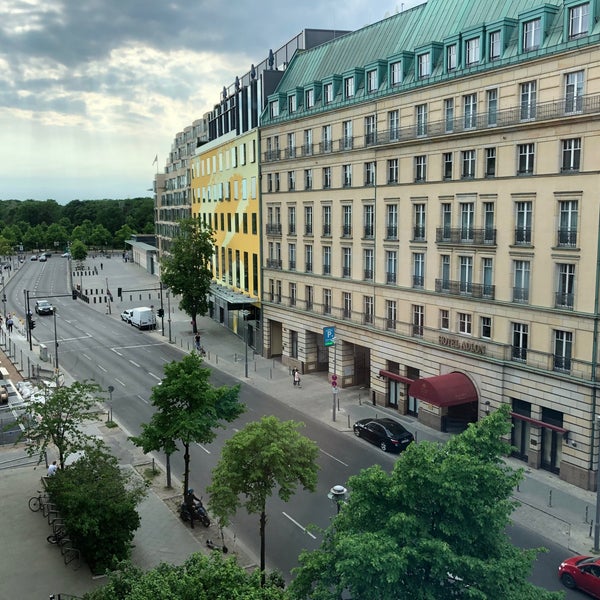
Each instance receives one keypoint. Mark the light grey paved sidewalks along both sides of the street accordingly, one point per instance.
(557, 510)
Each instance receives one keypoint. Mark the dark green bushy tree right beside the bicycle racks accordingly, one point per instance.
(98, 502)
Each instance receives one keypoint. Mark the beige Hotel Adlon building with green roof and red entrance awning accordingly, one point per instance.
(430, 190)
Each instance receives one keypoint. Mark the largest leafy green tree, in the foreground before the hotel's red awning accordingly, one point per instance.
(434, 528)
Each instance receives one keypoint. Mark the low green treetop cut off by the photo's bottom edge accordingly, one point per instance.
(200, 577)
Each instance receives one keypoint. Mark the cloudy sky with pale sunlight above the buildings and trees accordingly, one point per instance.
(92, 90)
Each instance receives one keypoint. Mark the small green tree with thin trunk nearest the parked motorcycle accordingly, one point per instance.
(188, 409)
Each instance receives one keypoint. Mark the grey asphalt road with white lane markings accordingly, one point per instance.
(102, 348)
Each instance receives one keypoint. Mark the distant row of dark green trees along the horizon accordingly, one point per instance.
(48, 225)
